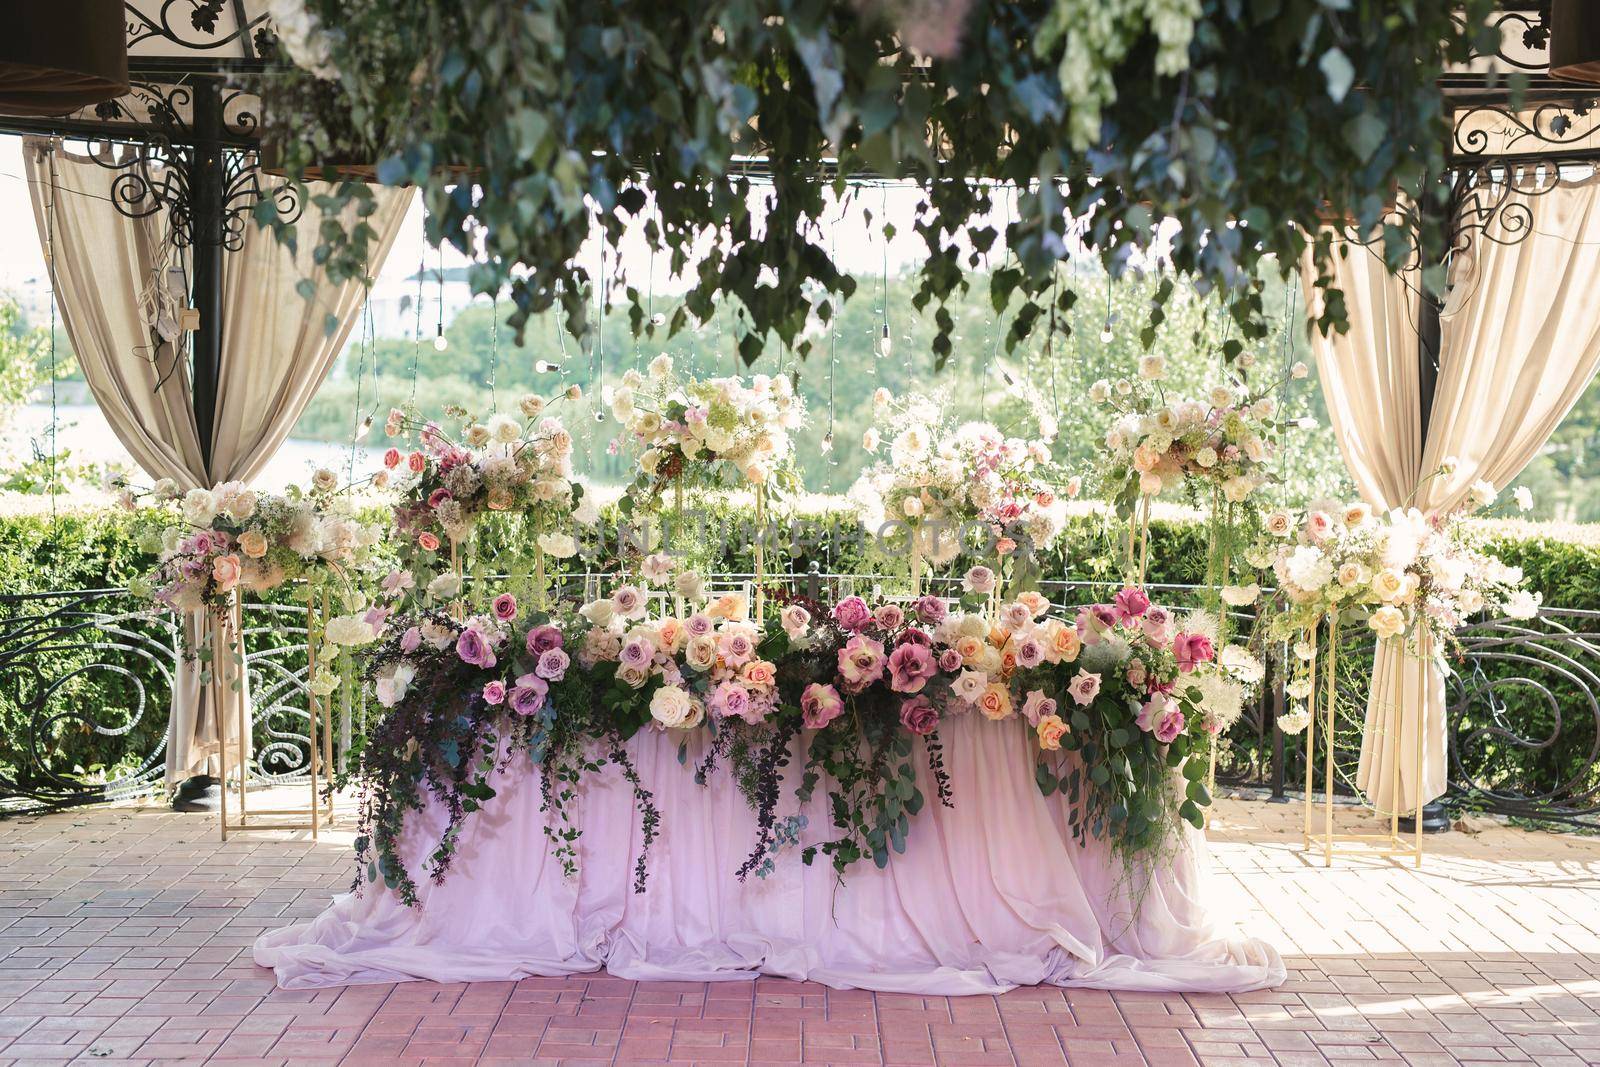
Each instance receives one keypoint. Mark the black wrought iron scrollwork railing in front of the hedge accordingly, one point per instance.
(86, 682)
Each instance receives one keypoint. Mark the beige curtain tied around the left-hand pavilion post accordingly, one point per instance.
(110, 271)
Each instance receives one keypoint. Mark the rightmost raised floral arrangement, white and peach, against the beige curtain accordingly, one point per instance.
(1412, 577)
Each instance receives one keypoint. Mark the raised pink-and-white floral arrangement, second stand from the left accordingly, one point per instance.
(508, 465)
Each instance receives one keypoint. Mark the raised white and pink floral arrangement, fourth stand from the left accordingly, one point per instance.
(951, 486)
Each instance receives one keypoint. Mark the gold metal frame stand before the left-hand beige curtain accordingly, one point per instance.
(319, 737)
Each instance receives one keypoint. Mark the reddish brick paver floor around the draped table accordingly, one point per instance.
(126, 937)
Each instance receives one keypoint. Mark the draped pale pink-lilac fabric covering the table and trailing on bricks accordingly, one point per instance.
(990, 895)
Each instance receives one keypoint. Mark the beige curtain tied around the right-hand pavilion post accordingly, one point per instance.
(1519, 346)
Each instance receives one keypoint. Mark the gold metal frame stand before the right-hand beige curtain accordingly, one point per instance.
(1329, 842)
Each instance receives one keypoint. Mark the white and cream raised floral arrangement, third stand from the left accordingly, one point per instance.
(714, 431)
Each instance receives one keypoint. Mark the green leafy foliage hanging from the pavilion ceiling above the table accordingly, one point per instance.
(1234, 119)
